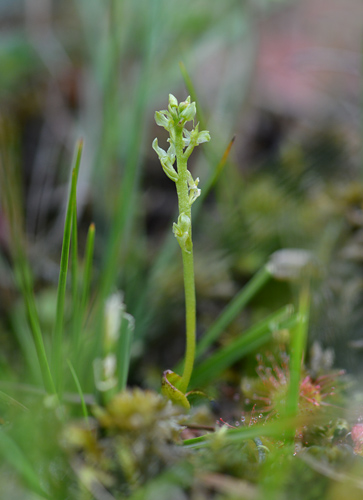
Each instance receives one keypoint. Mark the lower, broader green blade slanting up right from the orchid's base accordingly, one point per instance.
(253, 338)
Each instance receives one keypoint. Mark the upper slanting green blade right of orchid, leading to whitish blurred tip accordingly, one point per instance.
(233, 309)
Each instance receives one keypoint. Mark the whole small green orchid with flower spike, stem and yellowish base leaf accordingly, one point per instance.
(182, 142)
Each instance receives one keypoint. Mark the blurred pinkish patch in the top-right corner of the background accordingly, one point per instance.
(310, 58)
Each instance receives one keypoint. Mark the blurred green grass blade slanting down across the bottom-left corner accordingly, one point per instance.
(14, 456)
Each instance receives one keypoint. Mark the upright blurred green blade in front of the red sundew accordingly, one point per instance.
(298, 346)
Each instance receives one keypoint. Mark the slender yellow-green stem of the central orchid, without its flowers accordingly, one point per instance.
(188, 262)
